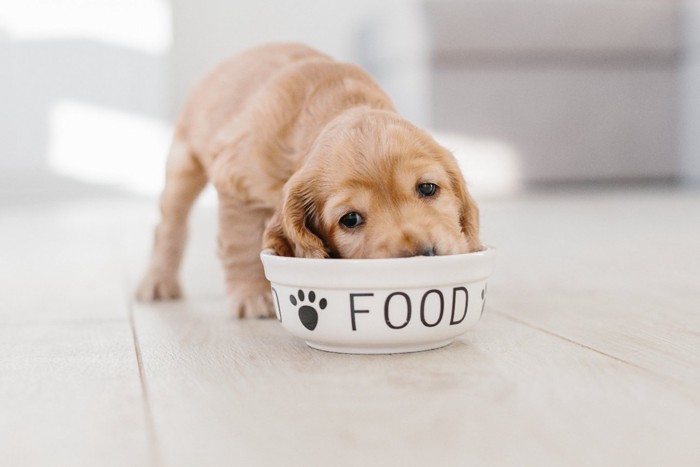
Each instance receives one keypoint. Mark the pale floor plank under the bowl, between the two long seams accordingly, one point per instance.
(245, 393)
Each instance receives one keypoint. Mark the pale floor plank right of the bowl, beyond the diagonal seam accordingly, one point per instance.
(615, 271)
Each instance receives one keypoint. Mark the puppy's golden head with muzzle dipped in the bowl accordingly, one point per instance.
(375, 186)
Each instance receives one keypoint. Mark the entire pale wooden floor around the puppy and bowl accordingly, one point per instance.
(588, 352)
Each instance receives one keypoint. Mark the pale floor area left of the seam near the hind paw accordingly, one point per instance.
(70, 393)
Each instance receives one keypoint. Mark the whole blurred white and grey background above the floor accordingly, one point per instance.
(526, 92)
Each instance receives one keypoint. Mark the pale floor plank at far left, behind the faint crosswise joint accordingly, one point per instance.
(64, 261)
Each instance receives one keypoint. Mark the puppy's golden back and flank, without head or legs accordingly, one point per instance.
(256, 115)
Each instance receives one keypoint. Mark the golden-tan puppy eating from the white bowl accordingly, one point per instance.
(309, 158)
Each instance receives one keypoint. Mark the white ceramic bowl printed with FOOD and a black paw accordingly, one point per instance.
(379, 306)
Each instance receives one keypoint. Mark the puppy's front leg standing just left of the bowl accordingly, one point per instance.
(240, 237)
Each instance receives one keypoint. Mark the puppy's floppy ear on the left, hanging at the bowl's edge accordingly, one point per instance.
(292, 230)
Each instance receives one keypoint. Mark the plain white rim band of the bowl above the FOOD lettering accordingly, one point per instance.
(374, 273)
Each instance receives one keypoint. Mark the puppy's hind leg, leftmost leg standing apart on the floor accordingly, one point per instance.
(184, 181)
